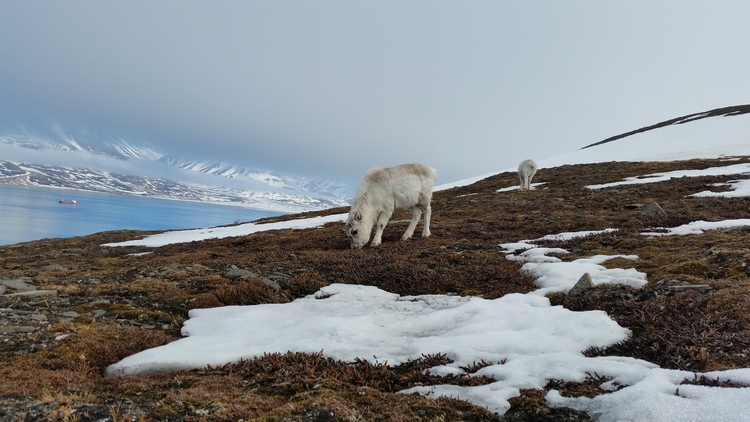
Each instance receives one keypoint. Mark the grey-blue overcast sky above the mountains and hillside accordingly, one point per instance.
(333, 88)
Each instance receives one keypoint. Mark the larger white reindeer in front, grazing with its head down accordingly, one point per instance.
(384, 190)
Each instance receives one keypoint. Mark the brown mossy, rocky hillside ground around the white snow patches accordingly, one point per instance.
(71, 307)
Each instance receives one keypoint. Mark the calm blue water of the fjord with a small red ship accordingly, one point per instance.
(30, 213)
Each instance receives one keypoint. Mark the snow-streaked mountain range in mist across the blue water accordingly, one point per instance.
(85, 161)
